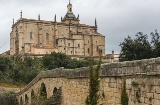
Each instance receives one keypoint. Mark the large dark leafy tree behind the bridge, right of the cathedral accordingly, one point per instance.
(136, 49)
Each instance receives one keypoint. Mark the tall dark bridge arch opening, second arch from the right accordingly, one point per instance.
(43, 92)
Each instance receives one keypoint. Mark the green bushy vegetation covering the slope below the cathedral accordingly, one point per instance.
(21, 70)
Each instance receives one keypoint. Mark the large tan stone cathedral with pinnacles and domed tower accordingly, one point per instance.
(69, 36)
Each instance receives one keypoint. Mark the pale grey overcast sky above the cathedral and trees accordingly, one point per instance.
(116, 19)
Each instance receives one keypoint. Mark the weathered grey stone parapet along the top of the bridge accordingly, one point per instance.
(146, 67)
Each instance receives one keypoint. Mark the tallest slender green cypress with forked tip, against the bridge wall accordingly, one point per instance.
(94, 84)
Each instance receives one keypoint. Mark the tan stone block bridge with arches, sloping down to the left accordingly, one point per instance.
(142, 83)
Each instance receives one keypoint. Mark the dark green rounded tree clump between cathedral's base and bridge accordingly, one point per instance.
(56, 60)
